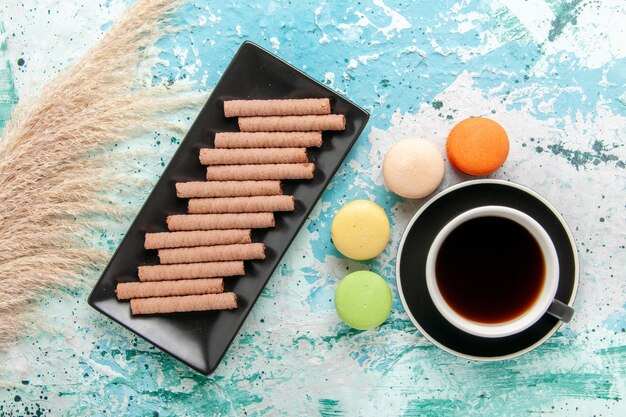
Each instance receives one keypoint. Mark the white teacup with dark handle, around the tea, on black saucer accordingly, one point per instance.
(544, 302)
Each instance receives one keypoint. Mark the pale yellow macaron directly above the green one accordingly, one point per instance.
(360, 230)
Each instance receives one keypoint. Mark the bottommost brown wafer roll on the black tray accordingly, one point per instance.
(223, 301)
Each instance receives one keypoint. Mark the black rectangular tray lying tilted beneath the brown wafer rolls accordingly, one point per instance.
(201, 339)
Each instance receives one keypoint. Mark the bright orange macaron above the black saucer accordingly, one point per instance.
(477, 146)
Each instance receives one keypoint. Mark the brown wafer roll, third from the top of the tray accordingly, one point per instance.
(268, 140)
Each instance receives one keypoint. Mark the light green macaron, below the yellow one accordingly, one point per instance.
(363, 300)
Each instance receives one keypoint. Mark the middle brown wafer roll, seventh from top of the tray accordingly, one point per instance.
(256, 204)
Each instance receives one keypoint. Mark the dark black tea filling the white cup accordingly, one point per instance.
(490, 270)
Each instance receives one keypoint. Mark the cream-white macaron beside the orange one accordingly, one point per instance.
(413, 168)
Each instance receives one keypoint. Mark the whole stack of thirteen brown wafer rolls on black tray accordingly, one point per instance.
(242, 191)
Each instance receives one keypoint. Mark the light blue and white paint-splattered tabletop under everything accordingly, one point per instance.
(552, 72)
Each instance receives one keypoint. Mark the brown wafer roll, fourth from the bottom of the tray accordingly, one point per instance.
(212, 253)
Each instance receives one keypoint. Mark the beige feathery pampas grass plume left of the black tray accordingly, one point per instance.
(53, 168)
